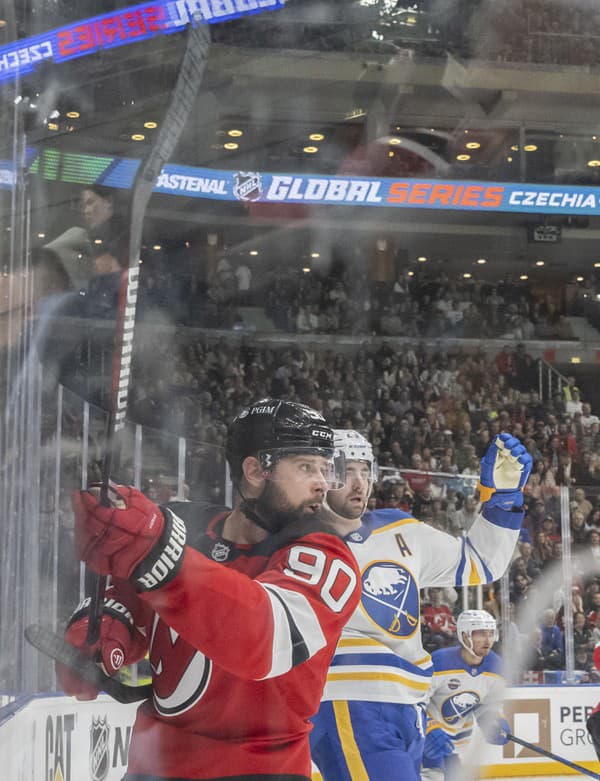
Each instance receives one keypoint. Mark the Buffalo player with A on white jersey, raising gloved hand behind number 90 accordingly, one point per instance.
(370, 725)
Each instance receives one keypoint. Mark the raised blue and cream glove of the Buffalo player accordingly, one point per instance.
(504, 471)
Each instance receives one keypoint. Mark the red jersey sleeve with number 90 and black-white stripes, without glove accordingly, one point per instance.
(263, 627)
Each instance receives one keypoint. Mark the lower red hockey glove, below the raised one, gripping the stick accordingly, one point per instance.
(119, 643)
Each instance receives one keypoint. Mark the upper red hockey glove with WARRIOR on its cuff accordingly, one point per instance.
(132, 540)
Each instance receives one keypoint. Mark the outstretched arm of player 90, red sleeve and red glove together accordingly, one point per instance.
(253, 628)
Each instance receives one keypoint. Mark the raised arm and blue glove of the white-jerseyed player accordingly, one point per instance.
(483, 555)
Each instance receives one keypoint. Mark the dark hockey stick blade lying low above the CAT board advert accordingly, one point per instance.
(58, 649)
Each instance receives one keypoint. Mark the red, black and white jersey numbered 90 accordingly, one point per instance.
(240, 642)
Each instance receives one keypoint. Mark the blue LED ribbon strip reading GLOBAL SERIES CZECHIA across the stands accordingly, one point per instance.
(310, 190)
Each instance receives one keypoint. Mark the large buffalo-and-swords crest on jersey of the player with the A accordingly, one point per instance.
(390, 598)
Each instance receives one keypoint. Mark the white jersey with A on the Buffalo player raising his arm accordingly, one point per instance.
(380, 656)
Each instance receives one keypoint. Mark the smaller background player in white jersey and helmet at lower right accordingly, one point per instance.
(467, 687)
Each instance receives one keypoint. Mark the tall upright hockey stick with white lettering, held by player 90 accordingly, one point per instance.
(185, 91)
